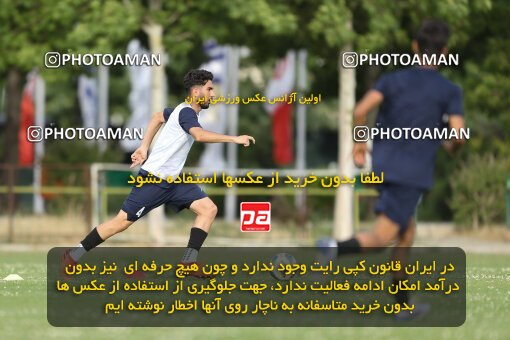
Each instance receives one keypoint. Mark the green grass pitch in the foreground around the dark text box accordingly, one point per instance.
(23, 310)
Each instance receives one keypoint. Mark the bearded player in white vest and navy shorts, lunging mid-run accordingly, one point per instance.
(167, 159)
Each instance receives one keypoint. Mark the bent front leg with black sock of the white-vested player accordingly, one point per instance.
(206, 211)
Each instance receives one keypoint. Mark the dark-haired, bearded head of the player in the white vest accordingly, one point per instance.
(198, 84)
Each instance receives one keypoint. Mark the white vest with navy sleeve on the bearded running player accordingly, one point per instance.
(174, 142)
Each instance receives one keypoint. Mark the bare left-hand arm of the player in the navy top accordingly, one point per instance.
(370, 101)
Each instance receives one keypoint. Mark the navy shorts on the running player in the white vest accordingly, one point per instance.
(143, 199)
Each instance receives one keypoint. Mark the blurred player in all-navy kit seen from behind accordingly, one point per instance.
(415, 97)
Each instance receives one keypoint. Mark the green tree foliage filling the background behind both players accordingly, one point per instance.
(481, 36)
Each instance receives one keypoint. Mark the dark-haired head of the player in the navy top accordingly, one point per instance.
(432, 38)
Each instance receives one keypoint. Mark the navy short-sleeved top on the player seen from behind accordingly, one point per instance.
(413, 98)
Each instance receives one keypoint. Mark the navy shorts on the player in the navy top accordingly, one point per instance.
(398, 203)
